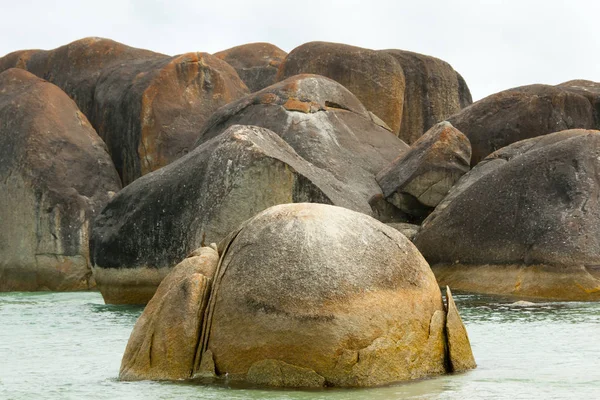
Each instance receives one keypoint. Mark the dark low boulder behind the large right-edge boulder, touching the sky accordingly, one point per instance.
(528, 111)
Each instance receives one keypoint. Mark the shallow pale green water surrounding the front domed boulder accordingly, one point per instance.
(69, 346)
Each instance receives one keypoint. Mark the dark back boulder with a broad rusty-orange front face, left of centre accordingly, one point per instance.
(148, 112)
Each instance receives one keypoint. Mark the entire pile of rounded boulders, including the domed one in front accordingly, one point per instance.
(311, 172)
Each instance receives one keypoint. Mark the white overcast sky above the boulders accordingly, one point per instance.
(495, 45)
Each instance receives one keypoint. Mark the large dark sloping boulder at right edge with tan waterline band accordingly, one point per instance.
(524, 222)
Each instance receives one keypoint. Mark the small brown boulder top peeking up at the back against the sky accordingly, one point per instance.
(255, 63)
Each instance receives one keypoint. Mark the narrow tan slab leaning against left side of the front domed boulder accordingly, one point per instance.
(164, 340)
